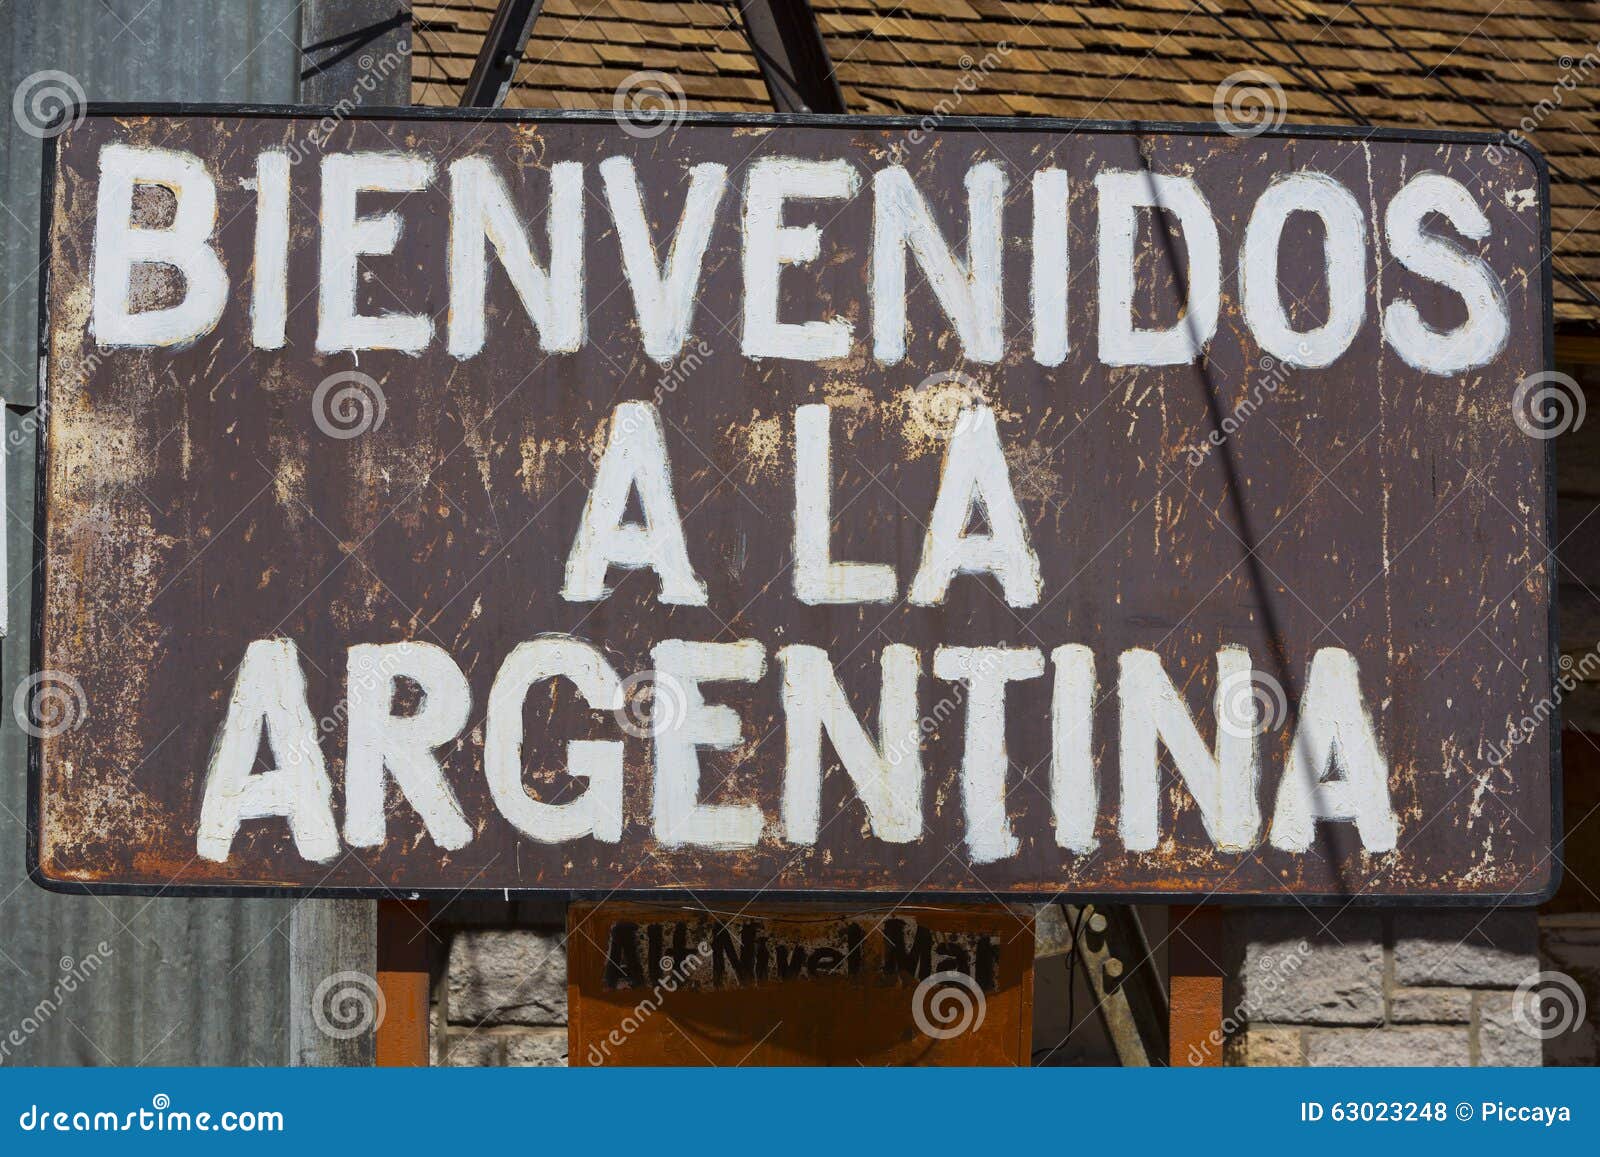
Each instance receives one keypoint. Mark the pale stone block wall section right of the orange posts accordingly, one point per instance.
(1342, 988)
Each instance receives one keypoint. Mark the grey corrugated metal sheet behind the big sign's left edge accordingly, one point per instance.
(92, 980)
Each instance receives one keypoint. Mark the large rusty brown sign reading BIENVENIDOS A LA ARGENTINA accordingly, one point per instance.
(793, 505)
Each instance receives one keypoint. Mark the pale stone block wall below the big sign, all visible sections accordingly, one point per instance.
(1306, 987)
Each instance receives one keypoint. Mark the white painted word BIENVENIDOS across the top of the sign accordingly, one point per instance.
(546, 262)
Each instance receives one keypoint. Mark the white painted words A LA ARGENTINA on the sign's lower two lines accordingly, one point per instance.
(1335, 771)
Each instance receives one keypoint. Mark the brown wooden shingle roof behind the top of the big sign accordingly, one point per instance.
(1465, 65)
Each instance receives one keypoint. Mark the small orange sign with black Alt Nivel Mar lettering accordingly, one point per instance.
(801, 985)
